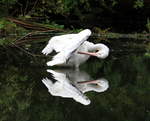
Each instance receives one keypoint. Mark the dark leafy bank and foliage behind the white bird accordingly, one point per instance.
(103, 17)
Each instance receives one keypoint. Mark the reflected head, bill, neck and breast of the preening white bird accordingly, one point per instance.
(84, 82)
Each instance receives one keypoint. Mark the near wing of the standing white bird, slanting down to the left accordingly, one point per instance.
(67, 50)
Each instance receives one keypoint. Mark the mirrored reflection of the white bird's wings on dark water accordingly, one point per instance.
(65, 89)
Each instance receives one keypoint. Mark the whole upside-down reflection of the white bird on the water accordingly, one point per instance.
(73, 84)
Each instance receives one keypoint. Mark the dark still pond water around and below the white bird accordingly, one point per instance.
(24, 97)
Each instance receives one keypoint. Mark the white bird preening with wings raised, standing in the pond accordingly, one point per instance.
(73, 49)
